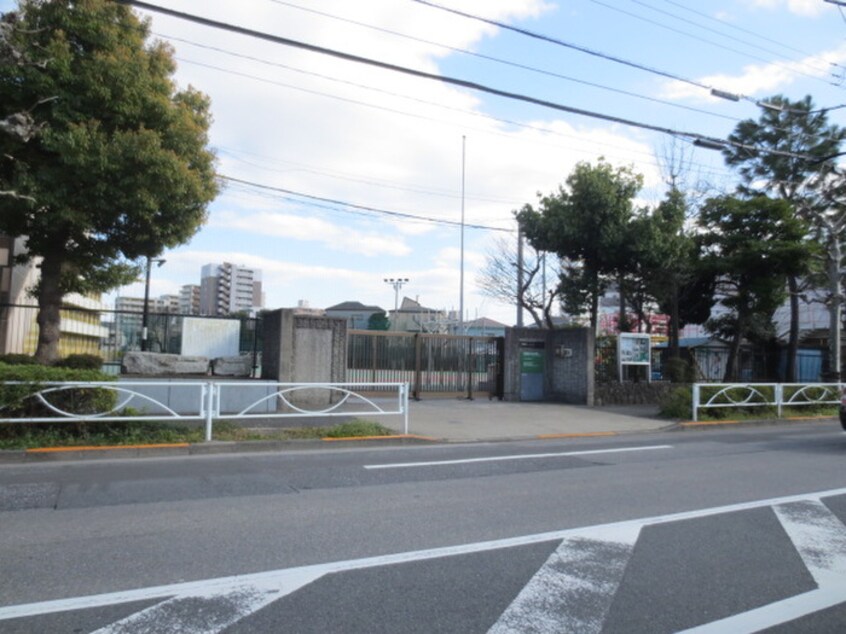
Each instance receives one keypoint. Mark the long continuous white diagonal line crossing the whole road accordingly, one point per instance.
(285, 577)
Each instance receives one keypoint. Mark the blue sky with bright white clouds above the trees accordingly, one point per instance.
(338, 174)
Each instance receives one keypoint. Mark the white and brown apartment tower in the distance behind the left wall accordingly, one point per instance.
(229, 288)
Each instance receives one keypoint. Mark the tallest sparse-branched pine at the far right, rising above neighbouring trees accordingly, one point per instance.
(788, 153)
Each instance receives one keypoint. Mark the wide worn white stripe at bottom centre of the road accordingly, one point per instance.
(574, 589)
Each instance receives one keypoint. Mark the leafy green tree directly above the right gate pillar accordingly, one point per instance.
(586, 223)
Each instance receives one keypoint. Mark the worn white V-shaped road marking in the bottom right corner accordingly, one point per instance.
(820, 539)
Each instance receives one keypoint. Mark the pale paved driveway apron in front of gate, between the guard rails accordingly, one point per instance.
(460, 420)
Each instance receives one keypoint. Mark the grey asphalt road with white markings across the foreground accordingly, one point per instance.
(734, 530)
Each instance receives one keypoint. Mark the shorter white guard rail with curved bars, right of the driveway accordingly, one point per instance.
(777, 395)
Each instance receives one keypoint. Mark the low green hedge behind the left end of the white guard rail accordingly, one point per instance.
(17, 400)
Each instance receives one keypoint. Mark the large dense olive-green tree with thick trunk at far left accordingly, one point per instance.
(119, 169)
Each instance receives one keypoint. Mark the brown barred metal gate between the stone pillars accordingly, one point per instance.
(430, 363)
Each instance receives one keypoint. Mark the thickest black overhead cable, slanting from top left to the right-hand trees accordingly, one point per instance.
(692, 136)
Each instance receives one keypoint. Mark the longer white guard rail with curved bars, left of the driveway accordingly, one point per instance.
(205, 401)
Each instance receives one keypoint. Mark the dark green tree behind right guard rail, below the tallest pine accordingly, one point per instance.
(749, 246)
